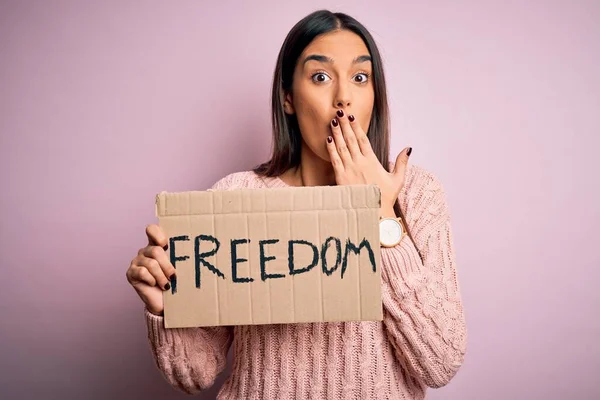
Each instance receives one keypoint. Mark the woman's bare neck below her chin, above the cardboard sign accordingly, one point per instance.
(312, 171)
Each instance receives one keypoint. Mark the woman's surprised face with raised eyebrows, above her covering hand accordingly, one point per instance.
(333, 73)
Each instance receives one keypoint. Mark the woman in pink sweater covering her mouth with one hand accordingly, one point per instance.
(330, 126)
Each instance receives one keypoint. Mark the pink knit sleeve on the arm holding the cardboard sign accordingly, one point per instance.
(191, 358)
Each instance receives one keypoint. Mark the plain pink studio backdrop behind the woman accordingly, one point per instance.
(105, 104)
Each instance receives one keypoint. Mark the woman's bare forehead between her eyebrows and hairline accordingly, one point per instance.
(342, 46)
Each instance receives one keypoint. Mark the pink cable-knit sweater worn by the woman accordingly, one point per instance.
(421, 342)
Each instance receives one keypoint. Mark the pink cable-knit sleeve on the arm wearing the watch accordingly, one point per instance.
(423, 312)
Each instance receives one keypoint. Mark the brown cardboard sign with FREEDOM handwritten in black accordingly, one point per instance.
(265, 256)
